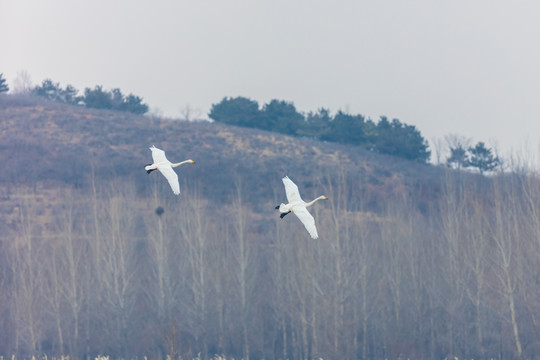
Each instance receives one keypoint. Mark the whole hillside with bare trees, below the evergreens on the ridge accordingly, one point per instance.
(413, 260)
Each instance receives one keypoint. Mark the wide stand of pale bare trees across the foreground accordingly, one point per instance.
(119, 273)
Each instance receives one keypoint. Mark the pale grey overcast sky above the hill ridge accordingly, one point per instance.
(468, 67)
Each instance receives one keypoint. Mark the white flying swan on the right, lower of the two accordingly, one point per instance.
(298, 206)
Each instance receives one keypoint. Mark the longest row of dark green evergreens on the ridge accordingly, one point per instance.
(386, 136)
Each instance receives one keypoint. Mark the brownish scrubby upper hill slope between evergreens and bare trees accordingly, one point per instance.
(50, 143)
